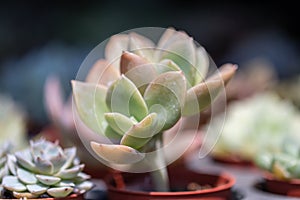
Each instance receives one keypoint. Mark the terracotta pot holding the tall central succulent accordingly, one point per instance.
(179, 179)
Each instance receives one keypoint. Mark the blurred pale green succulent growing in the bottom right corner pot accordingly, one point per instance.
(283, 165)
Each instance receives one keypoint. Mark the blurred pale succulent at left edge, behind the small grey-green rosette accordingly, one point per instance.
(12, 123)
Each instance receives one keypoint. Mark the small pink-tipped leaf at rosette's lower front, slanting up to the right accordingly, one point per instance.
(139, 134)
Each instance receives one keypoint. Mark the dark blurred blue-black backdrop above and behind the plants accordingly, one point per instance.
(43, 38)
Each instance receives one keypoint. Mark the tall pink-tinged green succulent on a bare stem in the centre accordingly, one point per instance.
(140, 90)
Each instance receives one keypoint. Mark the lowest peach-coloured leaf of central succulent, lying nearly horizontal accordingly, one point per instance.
(117, 154)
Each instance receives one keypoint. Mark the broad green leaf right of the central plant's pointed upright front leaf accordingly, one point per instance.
(167, 90)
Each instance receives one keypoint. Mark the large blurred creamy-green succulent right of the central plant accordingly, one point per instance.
(258, 123)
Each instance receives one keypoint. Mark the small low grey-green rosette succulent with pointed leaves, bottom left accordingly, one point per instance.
(45, 170)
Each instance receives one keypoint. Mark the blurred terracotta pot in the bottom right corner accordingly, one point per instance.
(289, 188)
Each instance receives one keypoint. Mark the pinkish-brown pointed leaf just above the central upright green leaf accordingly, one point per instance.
(135, 67)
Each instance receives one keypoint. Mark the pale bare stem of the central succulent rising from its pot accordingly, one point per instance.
(160, 176)
